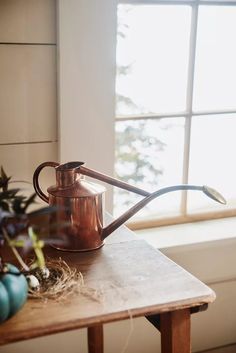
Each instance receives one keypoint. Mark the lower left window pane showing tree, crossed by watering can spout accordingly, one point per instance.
(149, 154)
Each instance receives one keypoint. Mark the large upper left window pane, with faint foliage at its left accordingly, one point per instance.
(152, 58)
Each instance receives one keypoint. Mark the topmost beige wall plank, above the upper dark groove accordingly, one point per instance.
(28, 21)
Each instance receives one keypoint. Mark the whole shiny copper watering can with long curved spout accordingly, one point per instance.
(80, 203)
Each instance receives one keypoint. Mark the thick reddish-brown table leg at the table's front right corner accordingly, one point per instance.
(175, 331)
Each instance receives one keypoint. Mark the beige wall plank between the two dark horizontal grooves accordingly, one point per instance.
(28, 93)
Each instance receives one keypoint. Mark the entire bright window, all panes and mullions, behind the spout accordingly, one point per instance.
(176, 104)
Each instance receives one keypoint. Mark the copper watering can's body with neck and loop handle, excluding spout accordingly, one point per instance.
(79, 209)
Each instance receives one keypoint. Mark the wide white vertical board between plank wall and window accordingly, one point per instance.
(86, 45)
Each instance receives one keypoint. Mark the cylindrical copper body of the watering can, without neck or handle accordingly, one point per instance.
(79, 215)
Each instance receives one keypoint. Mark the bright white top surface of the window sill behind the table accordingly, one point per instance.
(189, 233)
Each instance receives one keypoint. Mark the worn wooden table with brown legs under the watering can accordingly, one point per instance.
(132, 279)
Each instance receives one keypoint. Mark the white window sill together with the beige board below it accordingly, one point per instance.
(206, 248)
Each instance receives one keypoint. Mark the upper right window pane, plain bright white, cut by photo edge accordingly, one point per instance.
(215, 69)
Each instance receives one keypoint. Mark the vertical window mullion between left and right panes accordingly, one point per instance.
(189, 101)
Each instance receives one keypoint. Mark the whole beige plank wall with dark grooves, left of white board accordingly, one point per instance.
(28, 86)
